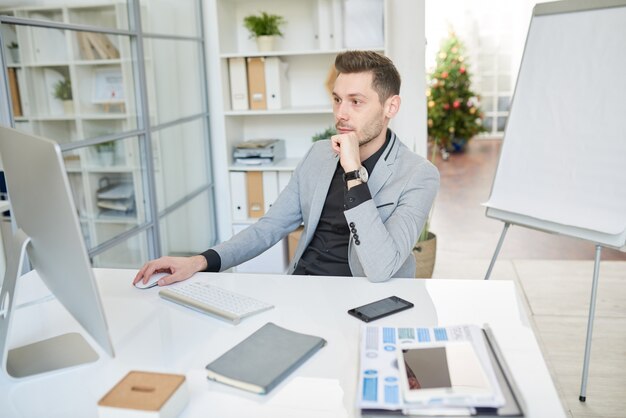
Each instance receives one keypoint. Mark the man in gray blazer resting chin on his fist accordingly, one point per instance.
(363, 196)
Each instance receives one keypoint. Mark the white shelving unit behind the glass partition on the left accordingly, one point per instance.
(46, 55)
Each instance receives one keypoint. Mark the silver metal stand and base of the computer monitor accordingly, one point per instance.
(60, 352)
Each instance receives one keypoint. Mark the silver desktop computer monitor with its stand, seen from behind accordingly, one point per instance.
(49, 230)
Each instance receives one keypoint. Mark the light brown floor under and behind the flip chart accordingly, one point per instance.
(554, 277)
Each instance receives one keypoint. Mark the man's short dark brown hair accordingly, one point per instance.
(385, 80)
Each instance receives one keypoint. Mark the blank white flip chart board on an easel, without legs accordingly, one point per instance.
(562, 166)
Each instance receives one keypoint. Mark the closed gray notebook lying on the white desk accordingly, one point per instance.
(264, 359)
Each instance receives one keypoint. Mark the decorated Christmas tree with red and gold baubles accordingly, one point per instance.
(454, 114)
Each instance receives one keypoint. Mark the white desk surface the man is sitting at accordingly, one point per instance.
(149, 333)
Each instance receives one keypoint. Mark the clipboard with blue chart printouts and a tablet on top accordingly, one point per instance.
(438, 371)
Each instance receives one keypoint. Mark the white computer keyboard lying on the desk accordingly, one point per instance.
(214, 300)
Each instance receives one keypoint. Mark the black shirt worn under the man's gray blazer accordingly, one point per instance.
(327, 253)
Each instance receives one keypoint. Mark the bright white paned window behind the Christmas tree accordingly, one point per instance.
(493, 33)
